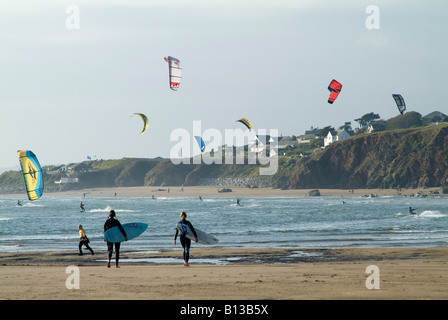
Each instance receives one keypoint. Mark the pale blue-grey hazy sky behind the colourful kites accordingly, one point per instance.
(68, 87)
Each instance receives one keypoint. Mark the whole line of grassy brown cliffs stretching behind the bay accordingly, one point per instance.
(403, 158)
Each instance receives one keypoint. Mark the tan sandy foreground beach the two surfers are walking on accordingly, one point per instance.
(403, 273)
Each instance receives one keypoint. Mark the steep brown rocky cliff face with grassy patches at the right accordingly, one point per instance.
(394, 159)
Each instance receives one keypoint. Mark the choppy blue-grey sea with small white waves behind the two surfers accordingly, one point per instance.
(51, 223)
